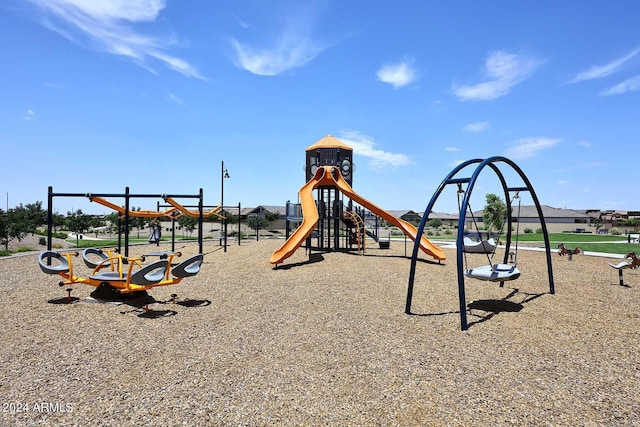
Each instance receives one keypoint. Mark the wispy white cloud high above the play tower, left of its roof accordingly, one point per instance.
(293, 47)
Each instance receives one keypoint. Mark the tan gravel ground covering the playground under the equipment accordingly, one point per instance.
(324, 341)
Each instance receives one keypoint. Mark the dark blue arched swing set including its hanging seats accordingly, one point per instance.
(495, 272)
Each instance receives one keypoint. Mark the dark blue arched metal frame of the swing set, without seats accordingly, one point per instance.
(470, 181)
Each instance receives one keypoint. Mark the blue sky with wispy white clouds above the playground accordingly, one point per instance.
(99, 95)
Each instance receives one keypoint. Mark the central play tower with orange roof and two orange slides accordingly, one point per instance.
(329, 171)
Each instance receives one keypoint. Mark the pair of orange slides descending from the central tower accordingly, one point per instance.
(324, 177)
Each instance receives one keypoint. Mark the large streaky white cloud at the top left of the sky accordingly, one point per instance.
(108, 25)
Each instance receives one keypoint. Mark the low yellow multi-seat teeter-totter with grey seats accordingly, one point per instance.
(115, 275)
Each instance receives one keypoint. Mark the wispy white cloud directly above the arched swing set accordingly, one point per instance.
(504, 71)
